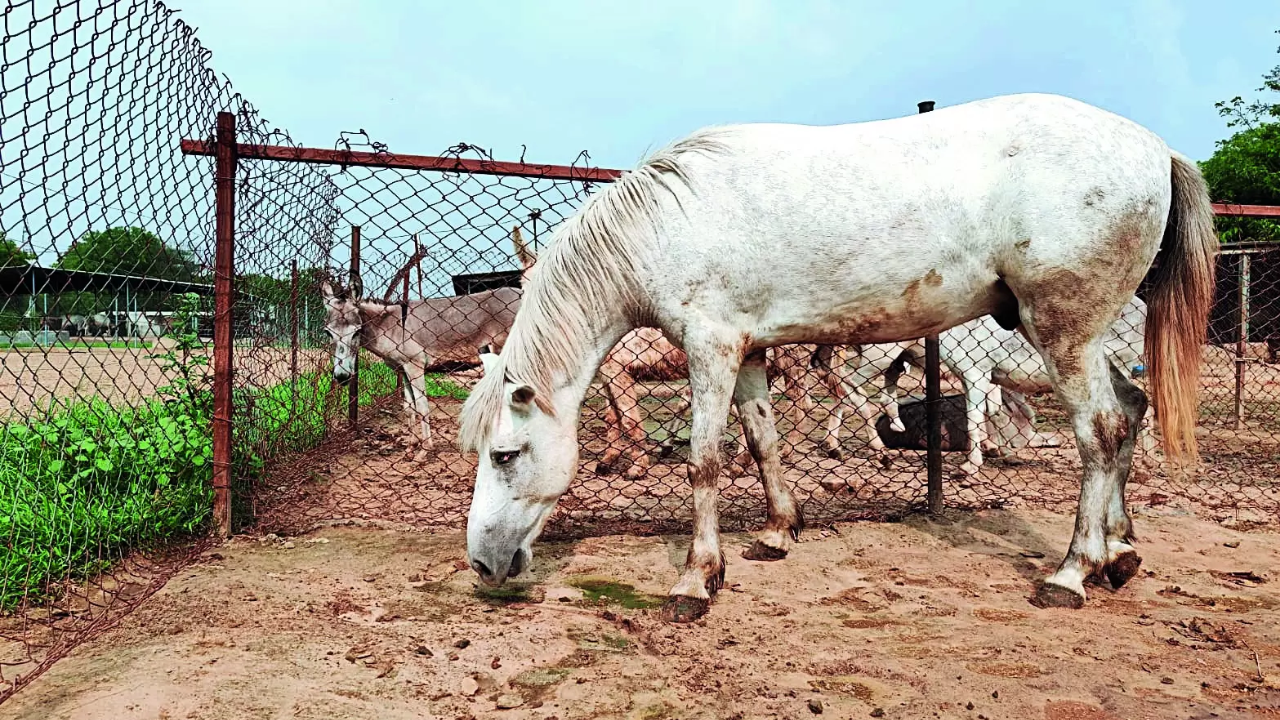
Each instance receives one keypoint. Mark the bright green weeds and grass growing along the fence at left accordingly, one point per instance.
(84, 485)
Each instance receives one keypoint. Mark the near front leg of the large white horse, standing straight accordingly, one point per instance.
(712, 376)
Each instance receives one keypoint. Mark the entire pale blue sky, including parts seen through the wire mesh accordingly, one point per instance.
(95, 94)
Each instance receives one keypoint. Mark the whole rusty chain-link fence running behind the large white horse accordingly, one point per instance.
(358, 289)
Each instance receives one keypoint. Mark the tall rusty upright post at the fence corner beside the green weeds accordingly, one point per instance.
(225, 290)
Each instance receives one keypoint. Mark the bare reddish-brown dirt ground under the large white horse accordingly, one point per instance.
(913, 619)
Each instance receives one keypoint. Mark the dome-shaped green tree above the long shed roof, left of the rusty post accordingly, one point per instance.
(130, 252)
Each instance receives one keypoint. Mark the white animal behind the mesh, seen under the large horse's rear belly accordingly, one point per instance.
(989, 358)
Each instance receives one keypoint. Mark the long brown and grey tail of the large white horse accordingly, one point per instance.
(1182, 293)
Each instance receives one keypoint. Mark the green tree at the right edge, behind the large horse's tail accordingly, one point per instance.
(1246, 167)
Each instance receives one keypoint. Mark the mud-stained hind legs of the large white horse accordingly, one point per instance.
(1104, 435)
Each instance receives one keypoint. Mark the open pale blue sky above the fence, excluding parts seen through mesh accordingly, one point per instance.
(619, 79)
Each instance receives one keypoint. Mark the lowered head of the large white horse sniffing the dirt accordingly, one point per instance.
(524, 467)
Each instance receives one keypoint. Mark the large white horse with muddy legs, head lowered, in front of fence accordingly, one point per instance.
(1039, 211)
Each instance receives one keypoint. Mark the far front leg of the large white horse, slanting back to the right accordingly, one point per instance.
(756, 412)
